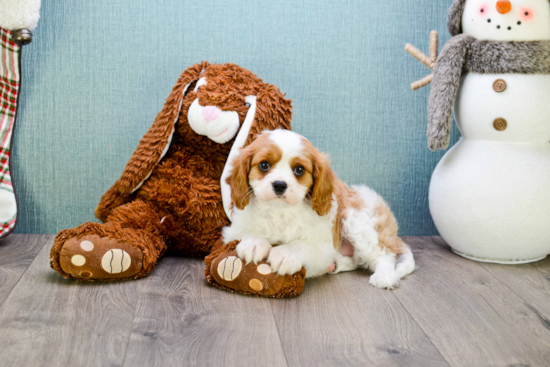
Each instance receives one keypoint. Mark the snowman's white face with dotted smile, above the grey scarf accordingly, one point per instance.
(475, 23)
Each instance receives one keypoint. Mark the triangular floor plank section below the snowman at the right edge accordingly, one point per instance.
(529, 281)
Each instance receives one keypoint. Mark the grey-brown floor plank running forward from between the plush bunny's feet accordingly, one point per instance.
(182, 321)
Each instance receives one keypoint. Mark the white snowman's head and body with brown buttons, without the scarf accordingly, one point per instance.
(490, 194)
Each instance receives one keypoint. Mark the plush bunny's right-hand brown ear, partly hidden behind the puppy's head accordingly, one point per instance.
(273, 111)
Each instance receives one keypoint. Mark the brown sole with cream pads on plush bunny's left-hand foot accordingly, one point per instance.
(92, 257)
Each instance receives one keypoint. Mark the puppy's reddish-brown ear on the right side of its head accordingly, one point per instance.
(324, 181)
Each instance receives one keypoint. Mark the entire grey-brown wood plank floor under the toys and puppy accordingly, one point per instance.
(451, 311)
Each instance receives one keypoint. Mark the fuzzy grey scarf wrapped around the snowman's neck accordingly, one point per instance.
(464, 53)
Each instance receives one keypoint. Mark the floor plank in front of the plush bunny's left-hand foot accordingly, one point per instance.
(50, 321)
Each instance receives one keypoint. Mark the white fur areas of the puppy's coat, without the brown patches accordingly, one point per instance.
(305, 238)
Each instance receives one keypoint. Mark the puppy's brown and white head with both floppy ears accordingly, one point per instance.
(283, 167)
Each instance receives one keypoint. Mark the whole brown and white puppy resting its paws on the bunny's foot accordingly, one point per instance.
(283, 191)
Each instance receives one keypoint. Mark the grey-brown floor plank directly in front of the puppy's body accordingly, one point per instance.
(342, 320)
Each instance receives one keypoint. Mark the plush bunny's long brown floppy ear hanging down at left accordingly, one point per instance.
(156, 141)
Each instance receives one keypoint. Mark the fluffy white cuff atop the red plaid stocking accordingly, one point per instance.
(17, 14)
